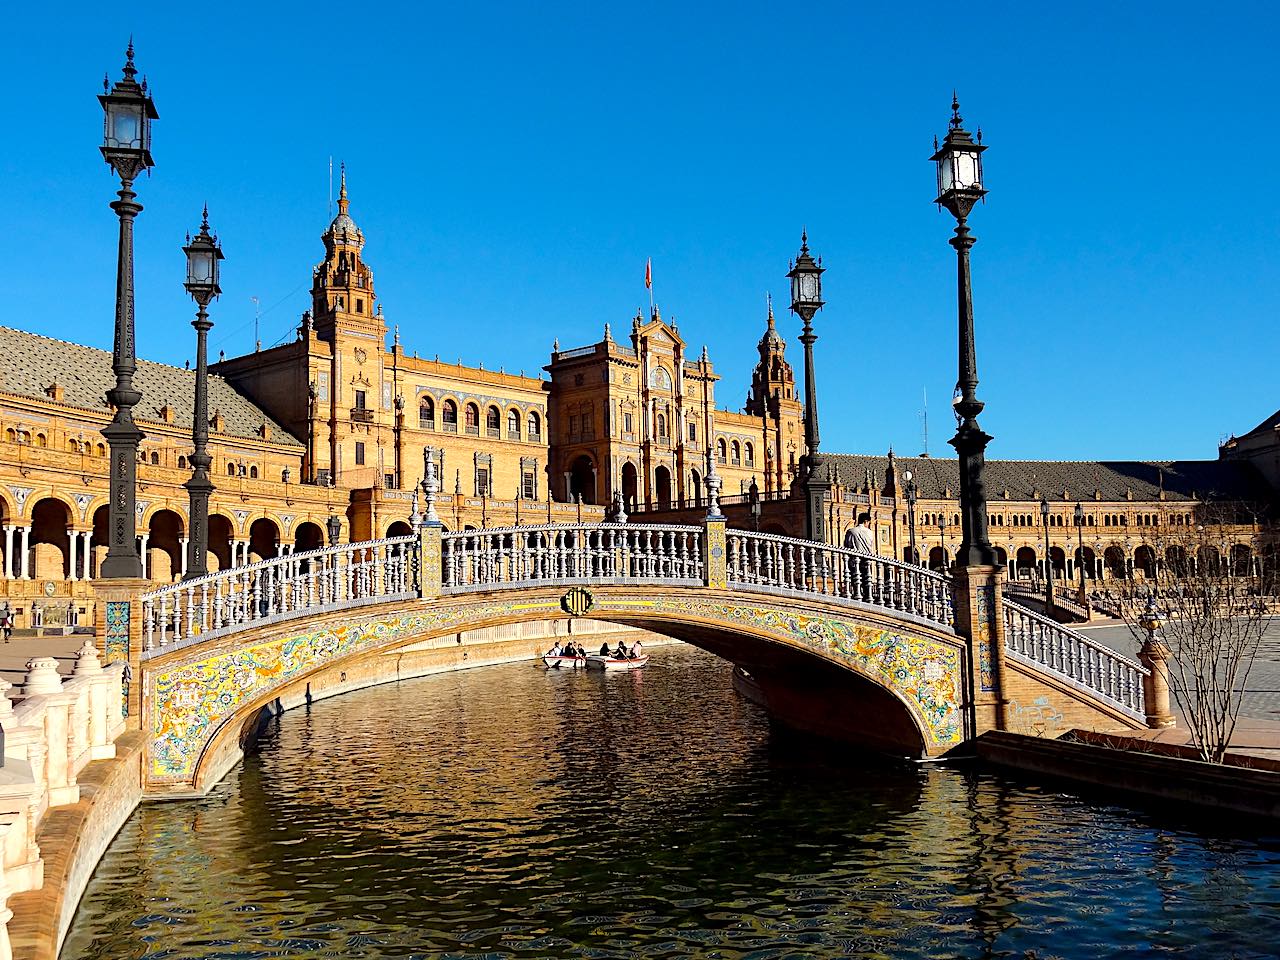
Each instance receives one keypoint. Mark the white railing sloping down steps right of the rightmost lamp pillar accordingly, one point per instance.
(1085, 664)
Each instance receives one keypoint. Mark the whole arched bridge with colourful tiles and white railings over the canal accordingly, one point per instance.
(897, 656)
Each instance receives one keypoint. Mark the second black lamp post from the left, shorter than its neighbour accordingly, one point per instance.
(203, 277)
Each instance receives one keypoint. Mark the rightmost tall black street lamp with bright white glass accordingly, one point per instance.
(959, 162)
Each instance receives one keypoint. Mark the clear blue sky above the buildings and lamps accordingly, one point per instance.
(514, 164)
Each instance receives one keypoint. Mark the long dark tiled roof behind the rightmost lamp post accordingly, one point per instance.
(1032, 479)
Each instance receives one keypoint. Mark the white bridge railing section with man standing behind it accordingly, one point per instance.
(808, 568)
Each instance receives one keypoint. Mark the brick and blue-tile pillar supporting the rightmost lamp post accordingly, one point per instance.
(977, 601)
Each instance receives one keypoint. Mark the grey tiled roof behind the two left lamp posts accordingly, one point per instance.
(31, 364)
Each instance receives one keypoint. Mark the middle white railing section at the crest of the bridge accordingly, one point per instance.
(481, 560)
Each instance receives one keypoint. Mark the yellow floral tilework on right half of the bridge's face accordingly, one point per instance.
(925, 673)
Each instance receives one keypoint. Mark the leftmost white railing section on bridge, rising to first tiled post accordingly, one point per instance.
(272, 591)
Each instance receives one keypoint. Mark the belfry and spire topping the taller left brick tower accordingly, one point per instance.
(342, 286)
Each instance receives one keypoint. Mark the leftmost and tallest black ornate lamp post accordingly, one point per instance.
(127, 149)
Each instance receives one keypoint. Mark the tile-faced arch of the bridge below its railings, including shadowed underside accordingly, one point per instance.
(900, 683)
